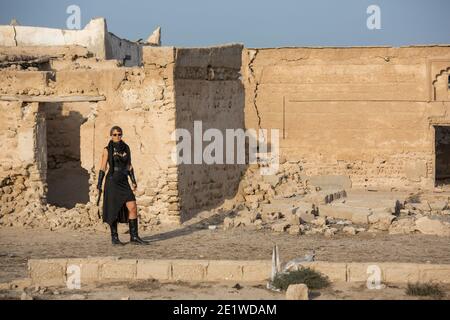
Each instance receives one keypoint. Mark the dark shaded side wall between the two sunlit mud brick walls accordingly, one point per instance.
(208, 89)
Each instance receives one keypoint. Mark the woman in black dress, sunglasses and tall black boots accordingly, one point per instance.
(119, 203)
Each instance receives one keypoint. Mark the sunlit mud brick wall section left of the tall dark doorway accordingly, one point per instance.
(23, 167)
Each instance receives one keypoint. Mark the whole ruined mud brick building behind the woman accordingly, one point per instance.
(368, 117)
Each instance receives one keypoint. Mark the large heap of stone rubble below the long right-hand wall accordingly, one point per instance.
(289, 203)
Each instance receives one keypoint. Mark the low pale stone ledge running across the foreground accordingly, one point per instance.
(54, 272)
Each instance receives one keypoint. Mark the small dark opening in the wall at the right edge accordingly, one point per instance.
(442, 153)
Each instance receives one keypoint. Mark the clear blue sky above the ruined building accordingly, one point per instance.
(254, 23)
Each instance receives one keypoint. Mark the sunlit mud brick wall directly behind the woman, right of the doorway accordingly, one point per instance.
(142, 103)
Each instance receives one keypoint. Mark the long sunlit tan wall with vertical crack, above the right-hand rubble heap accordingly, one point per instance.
(367, 113)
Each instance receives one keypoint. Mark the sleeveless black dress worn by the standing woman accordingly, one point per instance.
(117, 190)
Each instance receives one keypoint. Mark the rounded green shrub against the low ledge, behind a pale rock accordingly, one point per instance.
(313, 279)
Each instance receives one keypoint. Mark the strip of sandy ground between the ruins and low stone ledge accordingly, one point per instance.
(17, 245)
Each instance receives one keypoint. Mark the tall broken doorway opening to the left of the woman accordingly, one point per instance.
(67, 181)
